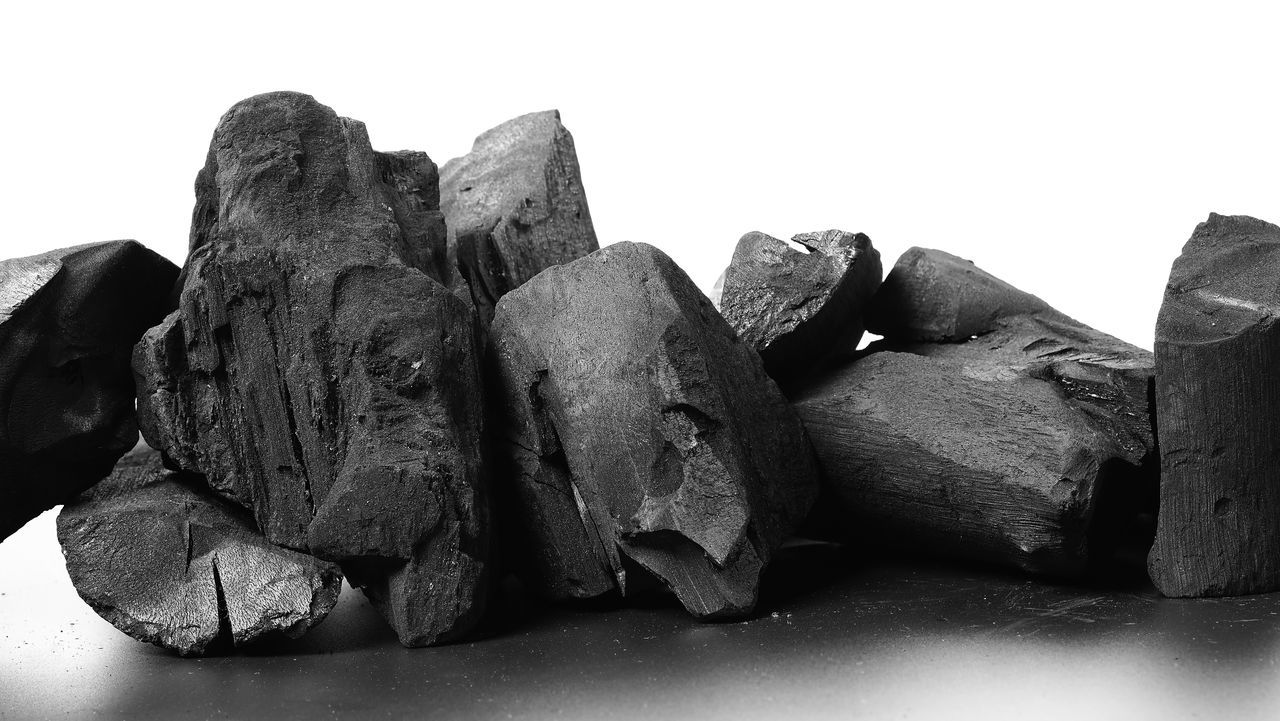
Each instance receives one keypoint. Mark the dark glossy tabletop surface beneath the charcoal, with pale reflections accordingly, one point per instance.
(884, 642)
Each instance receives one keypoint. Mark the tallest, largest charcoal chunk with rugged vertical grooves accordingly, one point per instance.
(317, 373)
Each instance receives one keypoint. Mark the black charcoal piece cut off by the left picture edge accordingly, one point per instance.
(68, 321)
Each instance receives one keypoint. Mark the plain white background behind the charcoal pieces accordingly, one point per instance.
(1071, 149)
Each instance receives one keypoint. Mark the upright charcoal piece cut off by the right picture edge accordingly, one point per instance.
(1218, 345)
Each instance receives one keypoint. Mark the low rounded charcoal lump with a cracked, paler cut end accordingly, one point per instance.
(168, 563)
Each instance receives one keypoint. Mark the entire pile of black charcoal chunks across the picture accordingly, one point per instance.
(427, 381)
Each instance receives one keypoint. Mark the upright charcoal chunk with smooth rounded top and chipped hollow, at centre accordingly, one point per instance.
(643, 430)
